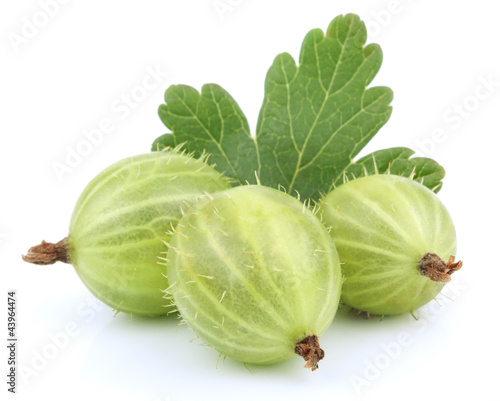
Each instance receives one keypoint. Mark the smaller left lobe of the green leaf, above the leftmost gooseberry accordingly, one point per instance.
(211, 122)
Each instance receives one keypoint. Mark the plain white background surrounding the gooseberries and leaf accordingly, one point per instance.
(74, 72)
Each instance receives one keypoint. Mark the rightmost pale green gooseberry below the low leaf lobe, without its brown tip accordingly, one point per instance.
(382, 226)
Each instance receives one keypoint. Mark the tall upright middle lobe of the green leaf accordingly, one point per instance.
(317, 116)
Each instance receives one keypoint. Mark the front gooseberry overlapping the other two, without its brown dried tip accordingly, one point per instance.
(253, 272)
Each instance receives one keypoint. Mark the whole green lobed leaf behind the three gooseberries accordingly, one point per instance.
(315, 119)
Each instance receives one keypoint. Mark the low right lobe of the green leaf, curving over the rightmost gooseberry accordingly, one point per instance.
(396, 161)
